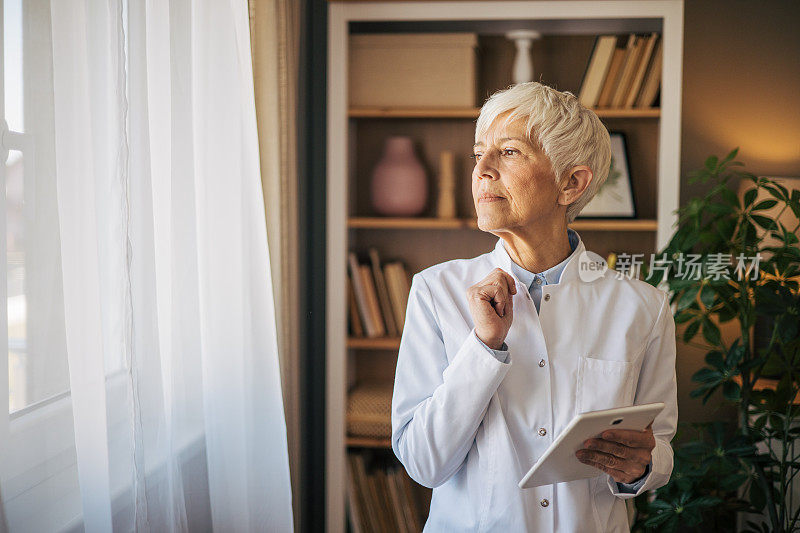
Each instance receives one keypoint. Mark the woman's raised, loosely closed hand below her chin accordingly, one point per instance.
(491, 306)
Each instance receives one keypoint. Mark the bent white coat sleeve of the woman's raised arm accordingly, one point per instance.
(437, 406)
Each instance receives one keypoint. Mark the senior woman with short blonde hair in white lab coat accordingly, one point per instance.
(500, 351)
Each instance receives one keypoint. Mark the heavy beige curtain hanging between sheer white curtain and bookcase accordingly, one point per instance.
(275, 31)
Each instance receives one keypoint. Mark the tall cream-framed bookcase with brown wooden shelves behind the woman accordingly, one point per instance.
(356, 136)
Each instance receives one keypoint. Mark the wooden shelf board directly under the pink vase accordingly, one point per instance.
(469, 223)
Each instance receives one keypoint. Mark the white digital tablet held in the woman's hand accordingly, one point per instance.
(559, 464)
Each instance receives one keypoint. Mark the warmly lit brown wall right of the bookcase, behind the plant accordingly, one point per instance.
(741, 87)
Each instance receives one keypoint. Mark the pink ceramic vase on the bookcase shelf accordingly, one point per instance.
(399, 184)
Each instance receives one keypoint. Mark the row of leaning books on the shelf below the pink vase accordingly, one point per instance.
(378, 296)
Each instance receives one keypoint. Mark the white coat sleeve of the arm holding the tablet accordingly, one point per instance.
(657, 383)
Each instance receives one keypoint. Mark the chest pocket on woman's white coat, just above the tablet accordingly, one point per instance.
(604, 384)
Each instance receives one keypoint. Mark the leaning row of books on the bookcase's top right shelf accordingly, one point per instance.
(624, 72)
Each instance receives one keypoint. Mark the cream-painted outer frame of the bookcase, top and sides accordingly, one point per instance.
(340, 15)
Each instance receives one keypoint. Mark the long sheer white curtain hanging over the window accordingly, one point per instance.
(168, 307)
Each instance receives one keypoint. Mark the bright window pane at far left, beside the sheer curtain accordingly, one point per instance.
(37, 360)
